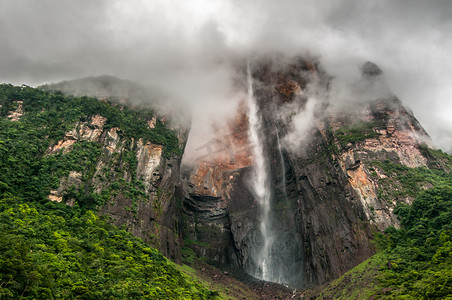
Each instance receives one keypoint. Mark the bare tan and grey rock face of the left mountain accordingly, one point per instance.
(138, 182)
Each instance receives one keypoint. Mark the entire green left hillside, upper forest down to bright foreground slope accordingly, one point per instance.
(50, 250)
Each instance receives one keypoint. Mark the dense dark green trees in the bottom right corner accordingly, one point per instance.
(420, 253)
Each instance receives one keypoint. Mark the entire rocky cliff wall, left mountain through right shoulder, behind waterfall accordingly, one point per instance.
(327, 177)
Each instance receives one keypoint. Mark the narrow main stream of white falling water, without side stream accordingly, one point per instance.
(261, 186)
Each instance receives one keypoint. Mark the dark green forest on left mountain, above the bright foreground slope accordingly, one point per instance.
(26, 170)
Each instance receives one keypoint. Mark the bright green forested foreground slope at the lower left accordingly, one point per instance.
(51, 251)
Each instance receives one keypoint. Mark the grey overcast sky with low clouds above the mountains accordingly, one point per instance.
(186, 45)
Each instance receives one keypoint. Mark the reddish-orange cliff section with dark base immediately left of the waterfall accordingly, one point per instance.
(216, 190)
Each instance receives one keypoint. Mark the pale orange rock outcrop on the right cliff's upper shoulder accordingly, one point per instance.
(398, 139)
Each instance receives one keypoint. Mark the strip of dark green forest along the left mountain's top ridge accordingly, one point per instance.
(50, 114)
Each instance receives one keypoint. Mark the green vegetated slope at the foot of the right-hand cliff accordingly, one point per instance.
(414, 261)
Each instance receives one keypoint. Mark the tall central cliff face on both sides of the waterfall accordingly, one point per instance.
(326, 192)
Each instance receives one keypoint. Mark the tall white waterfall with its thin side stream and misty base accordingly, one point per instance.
(276, 251)
